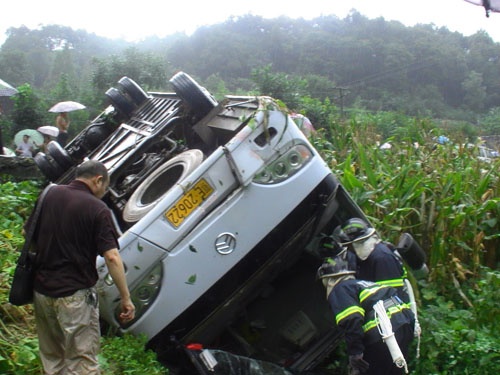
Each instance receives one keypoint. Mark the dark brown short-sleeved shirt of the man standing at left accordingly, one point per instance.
(73, 228)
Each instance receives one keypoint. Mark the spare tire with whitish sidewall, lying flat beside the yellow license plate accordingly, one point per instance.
(159, 182)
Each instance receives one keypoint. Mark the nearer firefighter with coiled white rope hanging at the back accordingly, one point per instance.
(352, 302)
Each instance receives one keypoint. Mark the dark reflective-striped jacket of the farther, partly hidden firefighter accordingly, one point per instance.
(385, 268)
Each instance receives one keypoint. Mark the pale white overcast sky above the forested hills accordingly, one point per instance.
(135, 20)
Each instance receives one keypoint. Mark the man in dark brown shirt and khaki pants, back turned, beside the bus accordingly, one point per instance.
(74, 227)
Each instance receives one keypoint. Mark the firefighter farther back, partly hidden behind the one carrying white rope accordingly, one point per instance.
(376, 261)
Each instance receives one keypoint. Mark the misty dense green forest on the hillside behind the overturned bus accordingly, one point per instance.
(355, 62)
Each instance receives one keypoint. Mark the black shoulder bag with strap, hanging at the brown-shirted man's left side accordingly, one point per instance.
(21, 290)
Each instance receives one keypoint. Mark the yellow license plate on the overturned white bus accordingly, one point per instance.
(189, 202)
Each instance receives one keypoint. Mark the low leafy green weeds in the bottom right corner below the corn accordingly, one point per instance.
(457, 340)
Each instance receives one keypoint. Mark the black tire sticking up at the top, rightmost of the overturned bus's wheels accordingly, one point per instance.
(196, 97)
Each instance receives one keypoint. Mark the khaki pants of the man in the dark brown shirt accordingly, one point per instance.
(68, 333)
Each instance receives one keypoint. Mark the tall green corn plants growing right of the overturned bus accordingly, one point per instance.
(442, 194)
